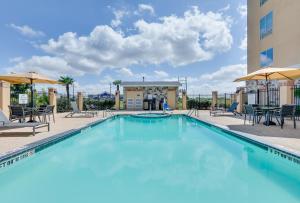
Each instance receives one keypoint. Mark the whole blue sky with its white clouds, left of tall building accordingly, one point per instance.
(97, 42)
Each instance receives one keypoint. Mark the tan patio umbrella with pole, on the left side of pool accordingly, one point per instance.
(27, 78)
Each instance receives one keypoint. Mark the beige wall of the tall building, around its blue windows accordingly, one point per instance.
(285, 37)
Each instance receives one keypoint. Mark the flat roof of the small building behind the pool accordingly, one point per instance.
(151, 84)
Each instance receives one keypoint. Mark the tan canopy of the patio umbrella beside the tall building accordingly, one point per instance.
(271, 73)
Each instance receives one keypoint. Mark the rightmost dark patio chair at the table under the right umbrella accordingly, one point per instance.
(286, 111)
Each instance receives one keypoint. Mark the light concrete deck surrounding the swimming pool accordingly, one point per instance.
(288, 137)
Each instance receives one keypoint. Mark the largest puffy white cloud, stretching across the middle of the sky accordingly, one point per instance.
(176, 40)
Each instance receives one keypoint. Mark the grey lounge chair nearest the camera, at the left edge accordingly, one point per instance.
(5, 124)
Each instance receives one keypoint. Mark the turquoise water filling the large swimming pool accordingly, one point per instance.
(169, 160)
